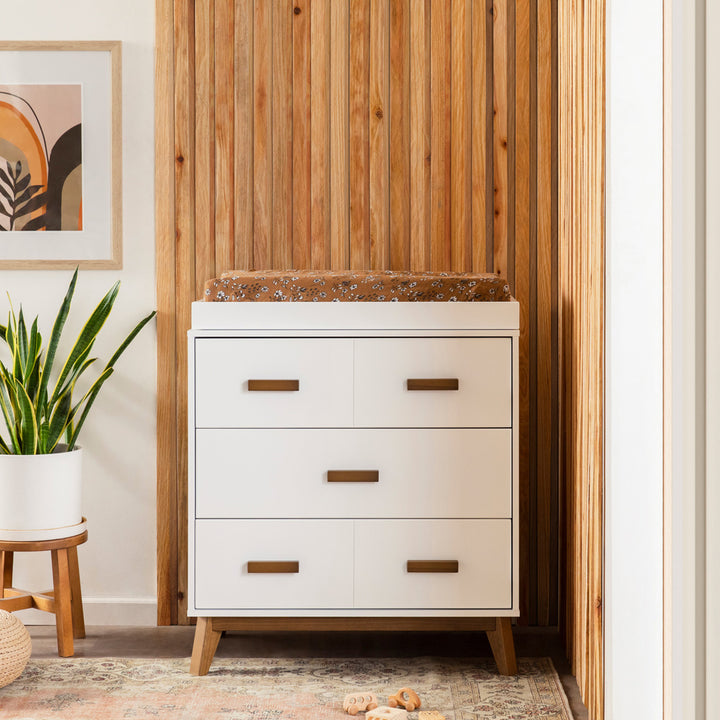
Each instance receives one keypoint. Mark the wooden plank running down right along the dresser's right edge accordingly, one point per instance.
(522, 180)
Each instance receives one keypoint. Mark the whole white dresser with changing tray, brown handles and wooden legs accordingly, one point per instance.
(353, 466)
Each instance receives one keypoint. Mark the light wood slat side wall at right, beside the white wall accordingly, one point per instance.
(581, 53)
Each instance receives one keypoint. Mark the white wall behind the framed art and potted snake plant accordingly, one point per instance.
(117, 564)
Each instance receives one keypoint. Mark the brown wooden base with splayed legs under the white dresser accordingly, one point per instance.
(209, 630)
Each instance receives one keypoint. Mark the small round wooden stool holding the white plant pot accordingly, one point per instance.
(64, 600)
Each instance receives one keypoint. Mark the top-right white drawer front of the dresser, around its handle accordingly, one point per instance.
(482, 367)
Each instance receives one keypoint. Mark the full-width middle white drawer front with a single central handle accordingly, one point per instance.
(421, 473)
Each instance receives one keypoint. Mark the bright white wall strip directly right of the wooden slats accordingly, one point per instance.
(634, 361)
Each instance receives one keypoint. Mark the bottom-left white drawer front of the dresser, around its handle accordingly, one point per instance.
(323, 551)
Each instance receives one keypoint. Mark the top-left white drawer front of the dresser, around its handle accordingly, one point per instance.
(224, 367)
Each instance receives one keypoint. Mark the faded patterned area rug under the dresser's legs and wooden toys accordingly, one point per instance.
(277, 689)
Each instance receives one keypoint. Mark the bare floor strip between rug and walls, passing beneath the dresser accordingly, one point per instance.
(109, 641)
